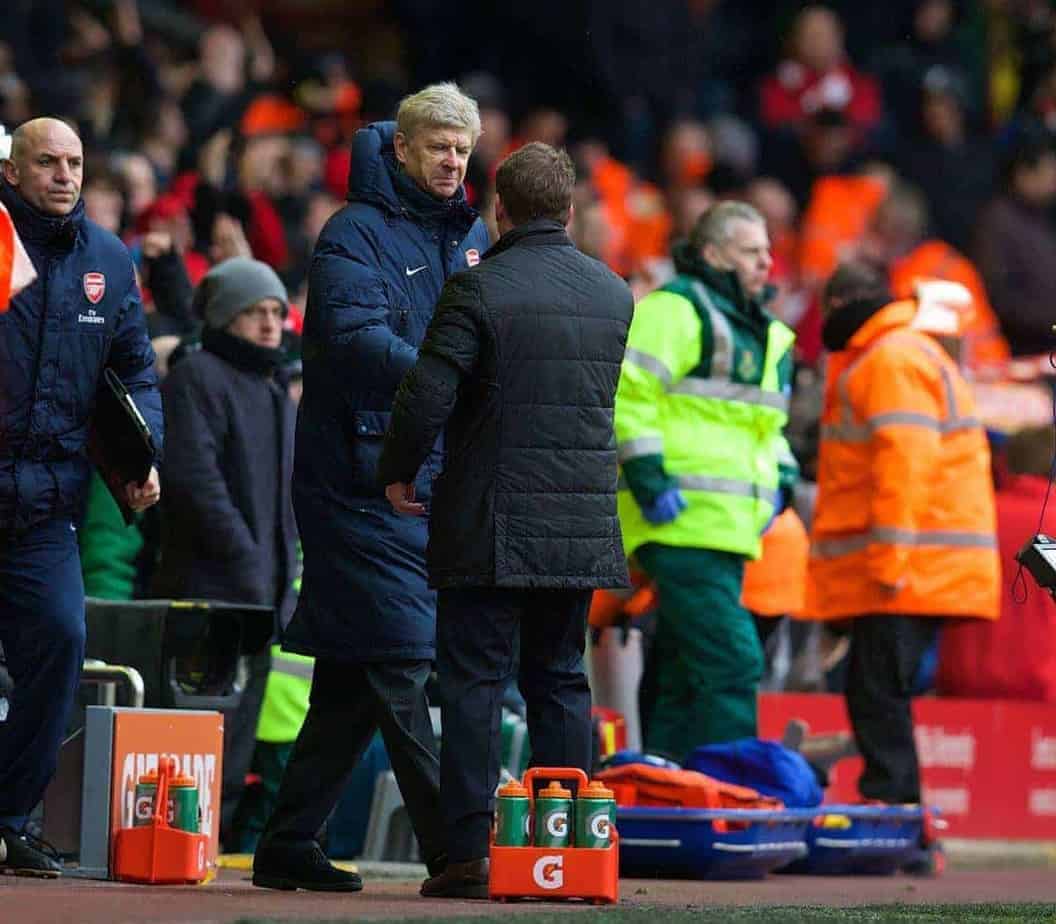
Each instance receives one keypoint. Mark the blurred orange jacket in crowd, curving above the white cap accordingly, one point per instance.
(986, 347)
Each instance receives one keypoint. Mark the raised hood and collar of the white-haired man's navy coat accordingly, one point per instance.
(374, 178)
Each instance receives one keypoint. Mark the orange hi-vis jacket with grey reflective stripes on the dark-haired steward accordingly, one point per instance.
(904, 521)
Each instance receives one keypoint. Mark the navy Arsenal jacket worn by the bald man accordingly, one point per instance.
(82, 314)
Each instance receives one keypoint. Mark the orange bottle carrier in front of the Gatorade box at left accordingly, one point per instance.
(156, 852)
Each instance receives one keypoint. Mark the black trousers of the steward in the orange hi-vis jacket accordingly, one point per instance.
(885, 656)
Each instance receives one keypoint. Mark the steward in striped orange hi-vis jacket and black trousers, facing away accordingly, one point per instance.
(904, 525)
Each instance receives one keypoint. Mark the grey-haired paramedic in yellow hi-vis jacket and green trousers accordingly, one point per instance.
(704, 469)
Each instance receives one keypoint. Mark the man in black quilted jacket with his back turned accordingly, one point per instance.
(520, 366)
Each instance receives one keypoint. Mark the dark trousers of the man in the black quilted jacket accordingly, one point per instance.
(478, 634)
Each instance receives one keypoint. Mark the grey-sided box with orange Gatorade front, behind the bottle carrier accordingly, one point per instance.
(124, 744)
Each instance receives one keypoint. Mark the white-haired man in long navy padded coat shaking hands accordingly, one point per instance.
(366, 611)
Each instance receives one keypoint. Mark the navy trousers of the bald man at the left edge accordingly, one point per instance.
(43, 634)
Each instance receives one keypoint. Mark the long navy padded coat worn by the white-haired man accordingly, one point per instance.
(376, 276)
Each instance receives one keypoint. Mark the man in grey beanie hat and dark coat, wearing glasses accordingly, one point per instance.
(229, 529)
